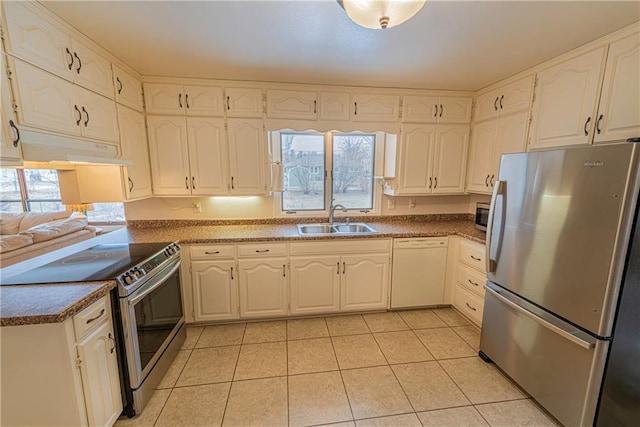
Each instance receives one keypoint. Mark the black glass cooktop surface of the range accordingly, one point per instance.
(102, 262)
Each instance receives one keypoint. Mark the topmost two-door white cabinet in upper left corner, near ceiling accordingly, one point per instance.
(35, 39)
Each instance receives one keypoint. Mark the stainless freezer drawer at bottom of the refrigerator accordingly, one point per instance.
(558, 366)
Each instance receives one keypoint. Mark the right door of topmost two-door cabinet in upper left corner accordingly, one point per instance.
(92, 71)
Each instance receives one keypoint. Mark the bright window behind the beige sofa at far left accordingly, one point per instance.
(38, 190)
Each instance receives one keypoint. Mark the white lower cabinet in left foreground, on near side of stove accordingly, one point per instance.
(61, 373)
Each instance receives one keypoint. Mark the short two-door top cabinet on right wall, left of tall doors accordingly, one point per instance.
(507, 99)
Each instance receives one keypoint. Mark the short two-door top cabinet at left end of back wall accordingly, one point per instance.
(163, 98)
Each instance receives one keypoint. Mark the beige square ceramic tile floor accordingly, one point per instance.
(407, 368)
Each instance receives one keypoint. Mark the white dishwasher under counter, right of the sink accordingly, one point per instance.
(419, 266)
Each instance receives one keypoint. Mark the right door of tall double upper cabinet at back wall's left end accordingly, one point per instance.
(207, 155)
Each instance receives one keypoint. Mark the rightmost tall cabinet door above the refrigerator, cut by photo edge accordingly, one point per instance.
(619, 109)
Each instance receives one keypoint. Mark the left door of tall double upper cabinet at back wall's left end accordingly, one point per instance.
(169, 155)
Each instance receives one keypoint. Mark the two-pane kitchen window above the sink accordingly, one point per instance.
(320, 167)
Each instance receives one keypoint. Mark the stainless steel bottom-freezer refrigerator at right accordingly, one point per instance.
(560, 225)
